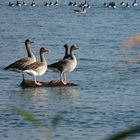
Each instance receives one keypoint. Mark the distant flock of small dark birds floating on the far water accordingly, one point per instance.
(81, 8)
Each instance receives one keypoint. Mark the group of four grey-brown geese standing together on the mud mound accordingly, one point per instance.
(29, 65)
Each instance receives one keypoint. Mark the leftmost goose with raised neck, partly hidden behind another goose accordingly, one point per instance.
(22, 63)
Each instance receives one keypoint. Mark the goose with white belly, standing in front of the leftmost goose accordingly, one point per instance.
(37, 68)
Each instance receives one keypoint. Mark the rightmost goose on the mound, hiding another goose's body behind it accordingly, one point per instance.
(66, 65)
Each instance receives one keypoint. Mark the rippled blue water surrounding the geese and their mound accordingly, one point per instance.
(106, 99)
